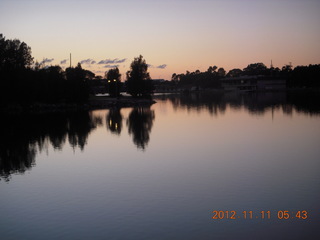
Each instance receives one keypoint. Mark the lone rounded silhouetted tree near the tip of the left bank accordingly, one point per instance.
(138, 79)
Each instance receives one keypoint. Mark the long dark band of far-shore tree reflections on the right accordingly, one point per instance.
(256, 103)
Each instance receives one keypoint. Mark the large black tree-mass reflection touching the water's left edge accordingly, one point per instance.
(23, 136)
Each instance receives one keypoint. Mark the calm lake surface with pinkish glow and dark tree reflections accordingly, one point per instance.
(190, 167)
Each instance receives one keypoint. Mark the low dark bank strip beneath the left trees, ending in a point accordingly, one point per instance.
(93, 103)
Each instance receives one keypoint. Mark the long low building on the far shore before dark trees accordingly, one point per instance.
(252, 83)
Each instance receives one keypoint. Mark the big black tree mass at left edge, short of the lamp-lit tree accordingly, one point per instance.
(22, 83)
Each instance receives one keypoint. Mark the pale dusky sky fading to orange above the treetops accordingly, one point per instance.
(173, 36)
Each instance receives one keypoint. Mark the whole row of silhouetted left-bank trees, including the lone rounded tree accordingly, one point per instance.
(22, 81)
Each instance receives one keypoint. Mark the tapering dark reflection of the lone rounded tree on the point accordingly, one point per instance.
(140, 123)
